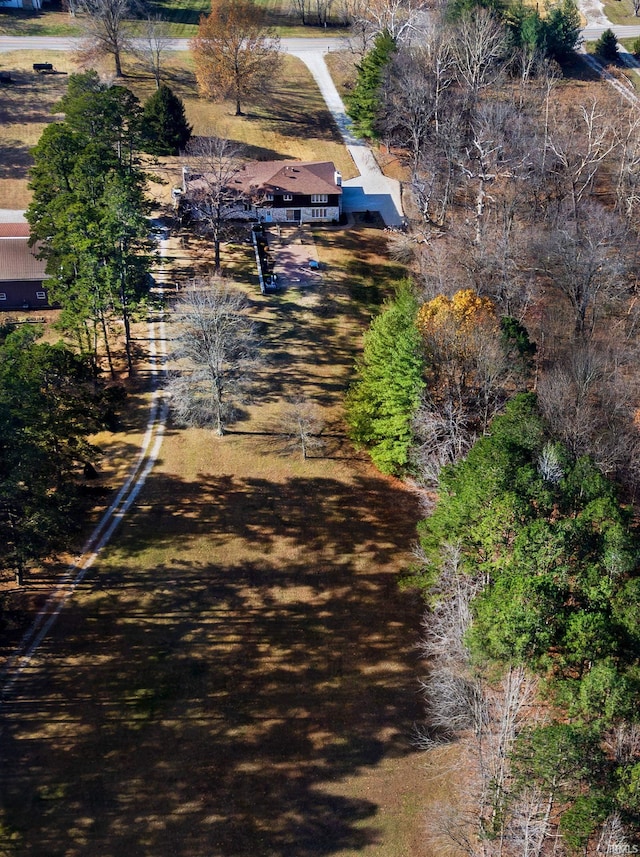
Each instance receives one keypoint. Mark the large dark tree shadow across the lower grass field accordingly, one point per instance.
(192, 705)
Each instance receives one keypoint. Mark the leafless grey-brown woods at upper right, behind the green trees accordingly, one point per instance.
(527, 197)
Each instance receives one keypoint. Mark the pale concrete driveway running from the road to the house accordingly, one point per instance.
(371, 190)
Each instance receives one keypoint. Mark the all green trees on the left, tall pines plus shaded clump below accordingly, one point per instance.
(89, 217)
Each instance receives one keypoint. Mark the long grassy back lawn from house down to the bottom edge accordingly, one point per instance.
(238, 674)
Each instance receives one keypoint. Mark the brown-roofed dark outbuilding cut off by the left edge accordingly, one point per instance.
(21, 272)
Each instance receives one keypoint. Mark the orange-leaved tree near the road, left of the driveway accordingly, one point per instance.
(236, 55)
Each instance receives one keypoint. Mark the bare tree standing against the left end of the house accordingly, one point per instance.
(213, 164)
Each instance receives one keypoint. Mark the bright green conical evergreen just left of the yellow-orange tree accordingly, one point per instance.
(384, 398)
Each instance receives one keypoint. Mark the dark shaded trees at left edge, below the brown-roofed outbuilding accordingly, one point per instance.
(50, 402)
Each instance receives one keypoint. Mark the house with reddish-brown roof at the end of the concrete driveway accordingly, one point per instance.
(275, 192)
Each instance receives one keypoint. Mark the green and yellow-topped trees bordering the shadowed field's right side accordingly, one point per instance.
(529, 563)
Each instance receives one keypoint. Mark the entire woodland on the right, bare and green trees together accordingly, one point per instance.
(521, 245)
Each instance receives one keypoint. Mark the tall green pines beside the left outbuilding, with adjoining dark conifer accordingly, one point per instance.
(89, 210)
